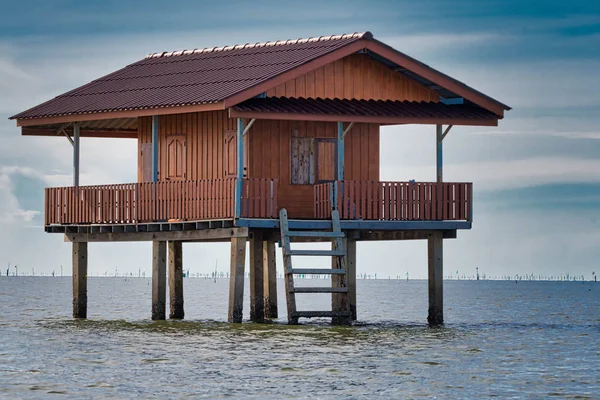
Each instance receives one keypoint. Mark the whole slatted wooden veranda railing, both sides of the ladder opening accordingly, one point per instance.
(189, 201)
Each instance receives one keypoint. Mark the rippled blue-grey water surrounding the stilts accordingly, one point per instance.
(501, 339)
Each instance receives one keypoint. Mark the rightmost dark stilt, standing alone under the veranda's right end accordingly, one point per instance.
(436, 271)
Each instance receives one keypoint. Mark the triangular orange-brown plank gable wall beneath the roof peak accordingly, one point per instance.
(356, 76)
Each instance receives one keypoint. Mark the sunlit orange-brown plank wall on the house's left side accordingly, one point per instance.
(205, 140)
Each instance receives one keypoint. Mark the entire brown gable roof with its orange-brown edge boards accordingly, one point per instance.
(217, 78)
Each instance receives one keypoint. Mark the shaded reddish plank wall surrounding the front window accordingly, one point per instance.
(269, 144)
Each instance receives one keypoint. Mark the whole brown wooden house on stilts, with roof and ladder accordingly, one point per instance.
(269, 143)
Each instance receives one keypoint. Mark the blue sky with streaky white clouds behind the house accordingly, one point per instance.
(536, 176)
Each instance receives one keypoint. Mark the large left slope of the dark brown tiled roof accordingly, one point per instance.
(189, 77)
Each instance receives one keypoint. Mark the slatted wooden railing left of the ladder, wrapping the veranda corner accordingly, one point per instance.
(159, 201)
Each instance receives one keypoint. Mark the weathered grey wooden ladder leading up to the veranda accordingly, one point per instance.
(340, 312)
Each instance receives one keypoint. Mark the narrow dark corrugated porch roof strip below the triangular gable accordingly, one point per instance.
(363, 108)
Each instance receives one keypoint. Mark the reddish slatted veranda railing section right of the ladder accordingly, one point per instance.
(399, 201)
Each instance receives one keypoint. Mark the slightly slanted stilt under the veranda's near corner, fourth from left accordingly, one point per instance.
(236, 279)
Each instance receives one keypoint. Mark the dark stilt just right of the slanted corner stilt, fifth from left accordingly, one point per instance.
(257, 299)
